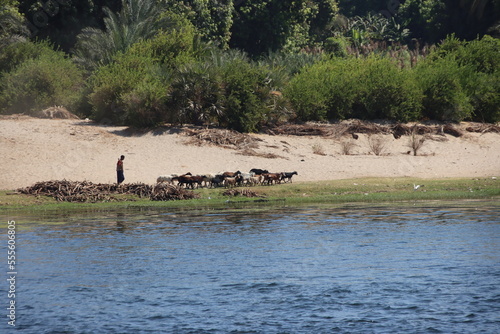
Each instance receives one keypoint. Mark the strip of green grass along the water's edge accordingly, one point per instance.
(365, 190)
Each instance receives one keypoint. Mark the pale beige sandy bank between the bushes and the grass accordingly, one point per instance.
(34, 150)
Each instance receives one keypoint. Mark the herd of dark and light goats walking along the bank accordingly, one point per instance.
(227, 179)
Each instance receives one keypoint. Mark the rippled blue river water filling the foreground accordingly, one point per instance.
(420, 268)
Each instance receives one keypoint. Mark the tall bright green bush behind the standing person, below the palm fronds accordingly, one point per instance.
(133, 89)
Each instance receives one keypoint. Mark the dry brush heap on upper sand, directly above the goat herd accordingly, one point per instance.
(220, 137)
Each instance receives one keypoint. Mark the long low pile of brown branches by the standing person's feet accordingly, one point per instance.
(86, 191)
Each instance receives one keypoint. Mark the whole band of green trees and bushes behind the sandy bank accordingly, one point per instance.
(246, 65)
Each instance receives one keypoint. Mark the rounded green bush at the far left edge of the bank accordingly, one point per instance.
(45, 78)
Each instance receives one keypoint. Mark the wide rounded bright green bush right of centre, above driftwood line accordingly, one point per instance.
(363, 88)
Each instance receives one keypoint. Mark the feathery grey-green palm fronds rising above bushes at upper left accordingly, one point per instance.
(137, 20)
